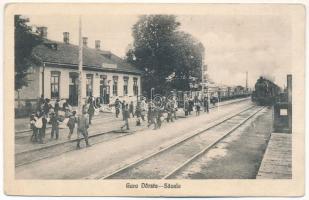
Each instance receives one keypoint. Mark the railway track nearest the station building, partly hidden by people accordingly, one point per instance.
(57, 148)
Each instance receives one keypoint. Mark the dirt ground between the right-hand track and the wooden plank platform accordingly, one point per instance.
(238, 156)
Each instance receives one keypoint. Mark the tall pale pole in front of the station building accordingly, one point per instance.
(80, 69)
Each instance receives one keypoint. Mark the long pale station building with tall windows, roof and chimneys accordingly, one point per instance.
(105, 75)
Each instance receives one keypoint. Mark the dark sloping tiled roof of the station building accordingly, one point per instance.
(68, 54)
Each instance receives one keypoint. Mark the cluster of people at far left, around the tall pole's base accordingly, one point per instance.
(60, 112)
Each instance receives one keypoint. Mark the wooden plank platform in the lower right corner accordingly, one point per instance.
(277, 160)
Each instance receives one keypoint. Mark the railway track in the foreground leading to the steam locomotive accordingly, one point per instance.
(165, 163)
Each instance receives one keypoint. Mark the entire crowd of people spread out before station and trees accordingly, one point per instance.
(151, 113)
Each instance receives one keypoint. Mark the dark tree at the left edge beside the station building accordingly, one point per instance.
(25, 41)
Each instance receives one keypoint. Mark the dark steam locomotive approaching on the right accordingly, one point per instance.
(265, 92)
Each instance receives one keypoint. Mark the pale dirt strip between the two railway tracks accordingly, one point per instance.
(106, 157)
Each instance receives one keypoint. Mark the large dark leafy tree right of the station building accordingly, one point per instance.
(169, 58)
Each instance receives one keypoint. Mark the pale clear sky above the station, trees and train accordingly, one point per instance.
(258, 44)
